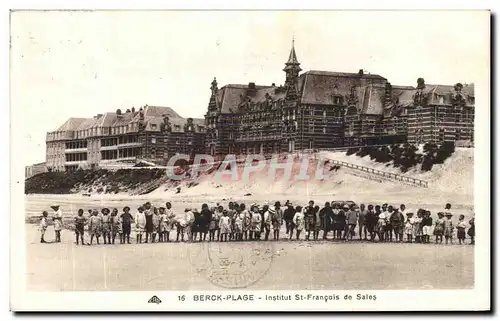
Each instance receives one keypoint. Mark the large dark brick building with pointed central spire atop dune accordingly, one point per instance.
(322, 110)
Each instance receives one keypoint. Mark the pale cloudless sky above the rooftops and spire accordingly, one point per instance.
(79, 64)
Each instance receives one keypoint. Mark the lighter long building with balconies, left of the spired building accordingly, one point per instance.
(151, 134)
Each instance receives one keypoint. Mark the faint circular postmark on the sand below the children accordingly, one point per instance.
(240, 266)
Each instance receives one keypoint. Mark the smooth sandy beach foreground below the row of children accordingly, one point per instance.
(296, 265)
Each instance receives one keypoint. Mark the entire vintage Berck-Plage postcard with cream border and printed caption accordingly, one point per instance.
(250, 160)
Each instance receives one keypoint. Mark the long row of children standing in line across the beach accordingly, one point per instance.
(237, 223)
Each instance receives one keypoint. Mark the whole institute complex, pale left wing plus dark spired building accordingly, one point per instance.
(312, 110)
